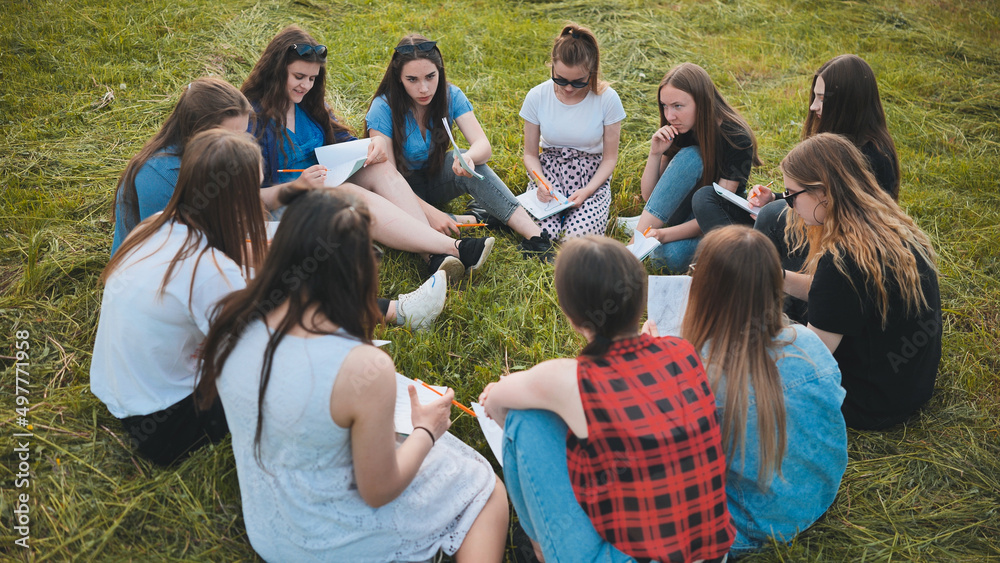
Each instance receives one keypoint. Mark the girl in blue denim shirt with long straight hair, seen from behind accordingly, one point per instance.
(776, 386)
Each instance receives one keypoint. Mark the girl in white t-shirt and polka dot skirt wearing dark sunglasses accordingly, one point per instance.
(576, 120)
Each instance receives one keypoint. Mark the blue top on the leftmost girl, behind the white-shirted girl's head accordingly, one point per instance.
(154, 186)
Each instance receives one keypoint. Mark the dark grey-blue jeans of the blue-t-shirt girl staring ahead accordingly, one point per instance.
(445, 186)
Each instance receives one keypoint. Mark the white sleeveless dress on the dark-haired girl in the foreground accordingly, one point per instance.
(303, 505)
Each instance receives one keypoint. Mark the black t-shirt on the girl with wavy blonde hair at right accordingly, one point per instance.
(888, 374)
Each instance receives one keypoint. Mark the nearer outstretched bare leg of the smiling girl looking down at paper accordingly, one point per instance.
(392, 227)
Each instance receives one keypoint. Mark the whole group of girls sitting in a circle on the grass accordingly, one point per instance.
(641, 448)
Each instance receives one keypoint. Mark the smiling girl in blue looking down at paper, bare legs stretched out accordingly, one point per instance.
(287, 88)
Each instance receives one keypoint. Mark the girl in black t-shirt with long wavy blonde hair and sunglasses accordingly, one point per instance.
(869, 278)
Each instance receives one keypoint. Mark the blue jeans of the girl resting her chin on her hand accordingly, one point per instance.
(671, 191)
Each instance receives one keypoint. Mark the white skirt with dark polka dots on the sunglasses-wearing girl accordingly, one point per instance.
(570, 170)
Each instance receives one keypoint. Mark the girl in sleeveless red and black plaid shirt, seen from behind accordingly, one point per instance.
(614, 455)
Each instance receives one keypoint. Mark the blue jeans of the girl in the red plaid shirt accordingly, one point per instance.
(537, 480)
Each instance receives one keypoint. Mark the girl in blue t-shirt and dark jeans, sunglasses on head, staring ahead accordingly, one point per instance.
(406, 115)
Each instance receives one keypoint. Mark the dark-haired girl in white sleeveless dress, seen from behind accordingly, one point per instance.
(310, 404)
